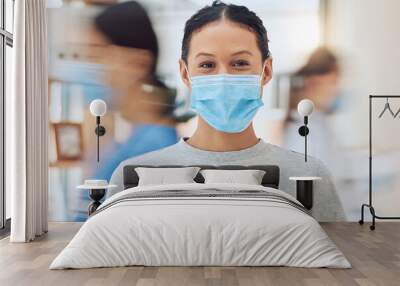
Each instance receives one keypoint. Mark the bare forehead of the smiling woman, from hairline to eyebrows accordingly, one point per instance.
(223, 38)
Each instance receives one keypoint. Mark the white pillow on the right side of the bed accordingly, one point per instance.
(249, 177)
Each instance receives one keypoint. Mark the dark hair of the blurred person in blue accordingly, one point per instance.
(128, 25)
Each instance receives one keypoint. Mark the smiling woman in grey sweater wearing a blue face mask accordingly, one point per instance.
(225, 63)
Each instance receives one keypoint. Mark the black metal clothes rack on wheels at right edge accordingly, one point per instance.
(369, 205)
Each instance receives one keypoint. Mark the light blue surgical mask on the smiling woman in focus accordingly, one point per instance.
(227, 102)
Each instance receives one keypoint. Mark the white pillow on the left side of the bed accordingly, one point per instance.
(162, 176)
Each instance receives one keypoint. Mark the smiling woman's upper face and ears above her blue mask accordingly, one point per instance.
(224, 47)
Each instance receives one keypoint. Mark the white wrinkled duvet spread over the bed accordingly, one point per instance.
(200, 231)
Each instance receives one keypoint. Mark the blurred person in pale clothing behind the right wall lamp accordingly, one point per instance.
(319, 80)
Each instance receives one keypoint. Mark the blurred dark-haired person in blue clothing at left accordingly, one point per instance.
(126, 44)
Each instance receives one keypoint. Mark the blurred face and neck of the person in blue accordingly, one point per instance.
(126, 71)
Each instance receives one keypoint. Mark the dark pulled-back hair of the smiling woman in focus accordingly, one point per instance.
(235, 13)
